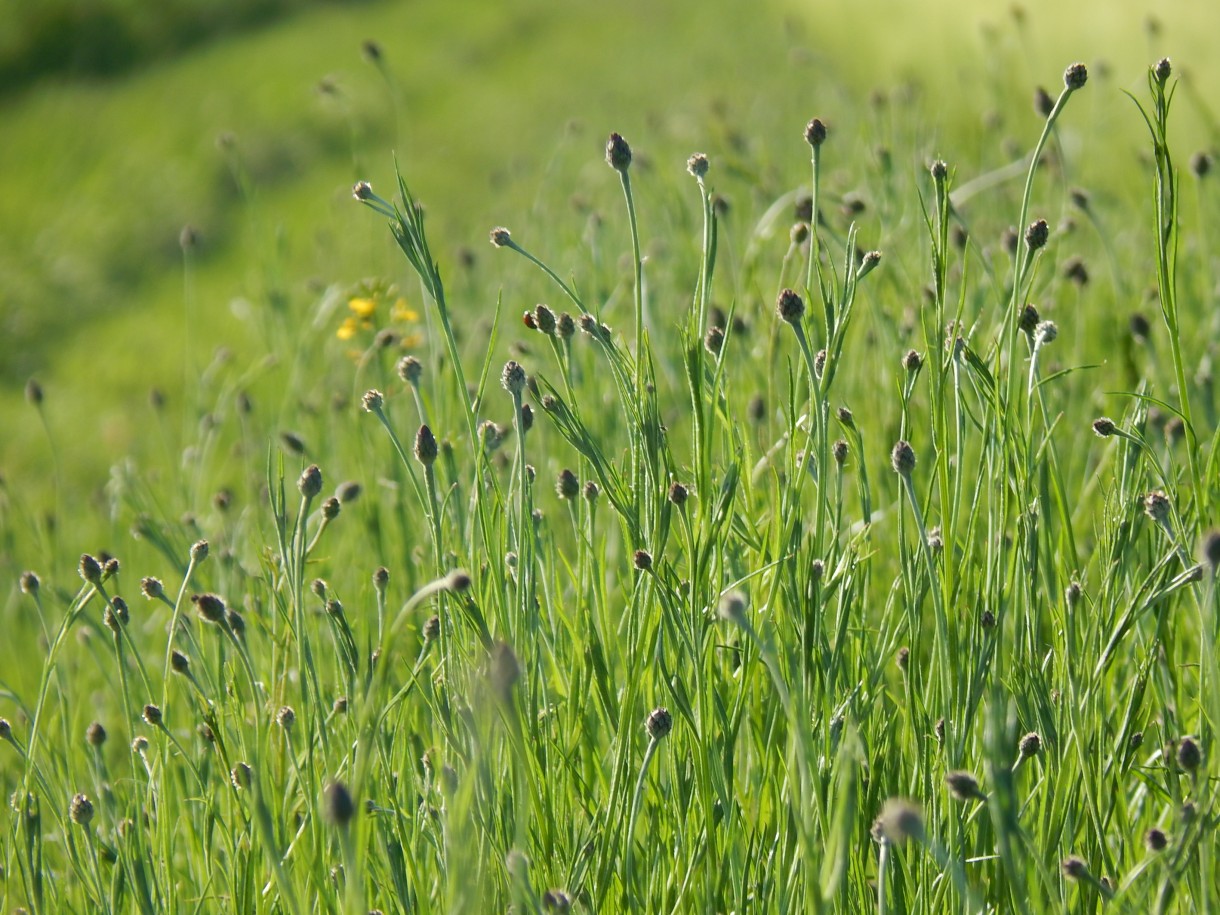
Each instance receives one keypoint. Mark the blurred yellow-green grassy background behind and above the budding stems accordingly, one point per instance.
(126, 121)
